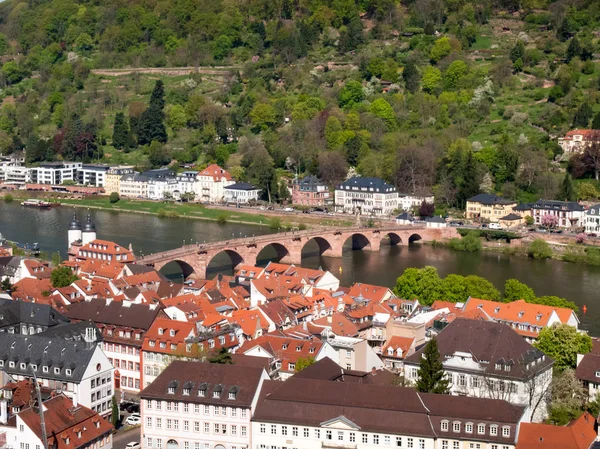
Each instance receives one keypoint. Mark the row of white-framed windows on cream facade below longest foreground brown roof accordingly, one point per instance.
(342, 436)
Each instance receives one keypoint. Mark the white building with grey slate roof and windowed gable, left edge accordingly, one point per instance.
(79, 369)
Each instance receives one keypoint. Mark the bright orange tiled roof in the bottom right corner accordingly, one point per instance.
(578, 434)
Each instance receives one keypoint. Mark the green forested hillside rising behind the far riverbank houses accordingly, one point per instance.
(451, 96)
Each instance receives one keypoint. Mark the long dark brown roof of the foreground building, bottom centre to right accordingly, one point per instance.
(375, 408)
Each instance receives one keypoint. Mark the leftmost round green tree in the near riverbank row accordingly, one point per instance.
(423, 284)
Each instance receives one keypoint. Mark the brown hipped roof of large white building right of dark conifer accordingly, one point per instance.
(490, 342)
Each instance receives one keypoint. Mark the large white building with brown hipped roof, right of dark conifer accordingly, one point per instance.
(486, 359)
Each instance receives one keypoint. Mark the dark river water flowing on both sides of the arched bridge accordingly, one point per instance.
(149, 234)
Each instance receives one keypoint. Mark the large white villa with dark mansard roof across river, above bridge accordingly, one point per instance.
(366, 196)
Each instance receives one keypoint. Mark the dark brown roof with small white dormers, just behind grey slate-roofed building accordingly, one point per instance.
(139, 316)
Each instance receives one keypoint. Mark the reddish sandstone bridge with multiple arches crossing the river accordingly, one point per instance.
(195, 258)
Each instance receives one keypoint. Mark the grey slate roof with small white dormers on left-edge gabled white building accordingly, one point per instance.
(41, 350)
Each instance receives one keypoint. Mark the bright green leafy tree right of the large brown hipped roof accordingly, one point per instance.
(563, 342)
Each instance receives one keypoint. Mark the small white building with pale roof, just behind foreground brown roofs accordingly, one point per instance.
(349, 352)
